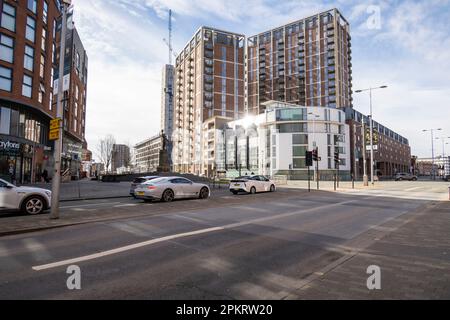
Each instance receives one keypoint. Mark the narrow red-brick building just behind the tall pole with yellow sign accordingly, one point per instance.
(75, 92)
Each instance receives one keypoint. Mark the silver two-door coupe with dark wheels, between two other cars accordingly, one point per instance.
(168, 189)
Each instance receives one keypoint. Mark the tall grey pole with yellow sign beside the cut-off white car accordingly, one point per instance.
(56, 180)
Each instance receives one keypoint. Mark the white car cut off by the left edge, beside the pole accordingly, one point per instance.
(26, 199)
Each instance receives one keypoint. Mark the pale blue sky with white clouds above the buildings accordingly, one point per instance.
(402, 44)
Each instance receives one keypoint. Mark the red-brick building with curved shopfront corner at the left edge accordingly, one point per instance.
(27, 46)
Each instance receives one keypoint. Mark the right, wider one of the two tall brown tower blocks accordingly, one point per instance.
(307, 62)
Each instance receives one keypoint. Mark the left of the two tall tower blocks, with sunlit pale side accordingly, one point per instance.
(209, 82)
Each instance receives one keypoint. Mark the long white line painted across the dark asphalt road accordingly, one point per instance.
(180, 235)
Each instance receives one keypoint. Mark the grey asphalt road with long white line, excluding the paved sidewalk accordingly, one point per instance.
(262, 246)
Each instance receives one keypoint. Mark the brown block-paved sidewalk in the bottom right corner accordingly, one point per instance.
(414, 261)
